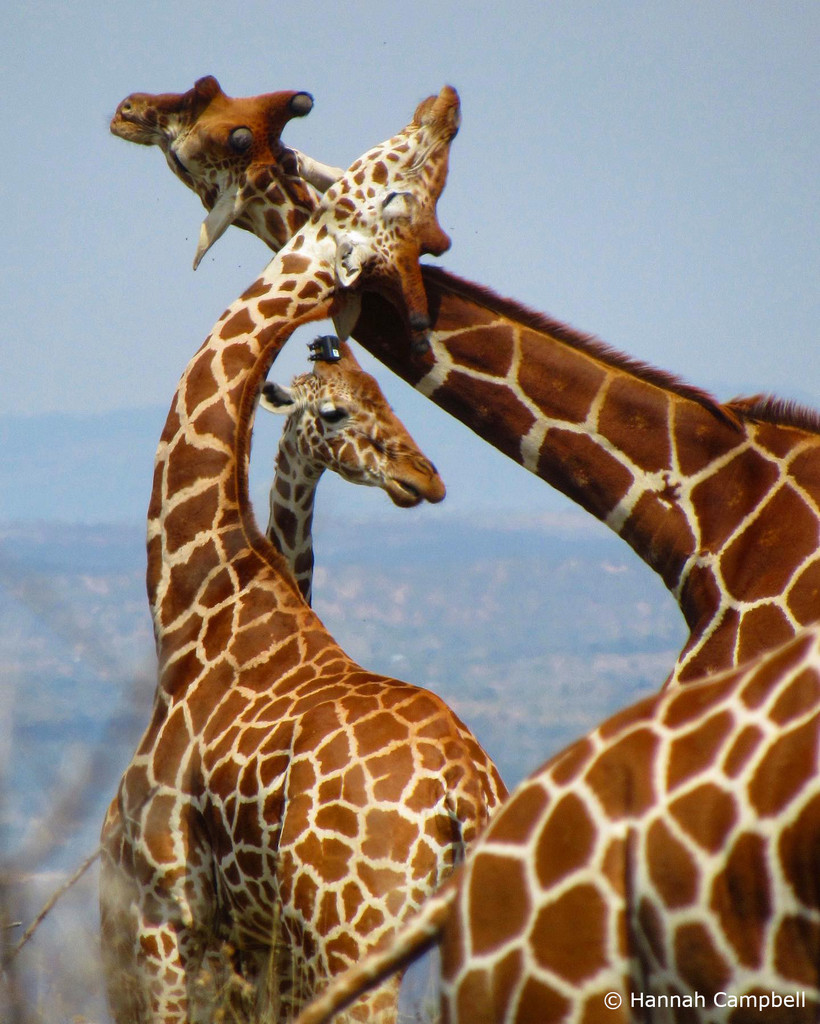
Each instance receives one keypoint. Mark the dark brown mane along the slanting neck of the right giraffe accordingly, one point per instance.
(770, 410)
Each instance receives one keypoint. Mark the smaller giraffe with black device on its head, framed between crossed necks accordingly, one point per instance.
(337, 418)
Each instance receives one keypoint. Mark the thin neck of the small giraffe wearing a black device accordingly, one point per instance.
(290, 526)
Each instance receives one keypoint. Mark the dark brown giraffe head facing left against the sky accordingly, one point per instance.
(230, 152)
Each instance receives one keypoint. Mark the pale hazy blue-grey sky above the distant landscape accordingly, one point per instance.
(648, 173)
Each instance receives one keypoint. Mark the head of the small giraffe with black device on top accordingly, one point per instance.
(339, 419)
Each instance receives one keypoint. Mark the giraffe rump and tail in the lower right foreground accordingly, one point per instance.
(662, 868)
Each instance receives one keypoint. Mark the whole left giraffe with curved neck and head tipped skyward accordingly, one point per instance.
(284, 802)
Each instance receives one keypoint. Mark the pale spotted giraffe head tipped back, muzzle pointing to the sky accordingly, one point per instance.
(382, 214)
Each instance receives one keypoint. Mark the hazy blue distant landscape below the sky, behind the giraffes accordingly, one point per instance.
(533, 628)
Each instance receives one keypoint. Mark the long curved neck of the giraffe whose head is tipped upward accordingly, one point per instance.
(204, 546)
